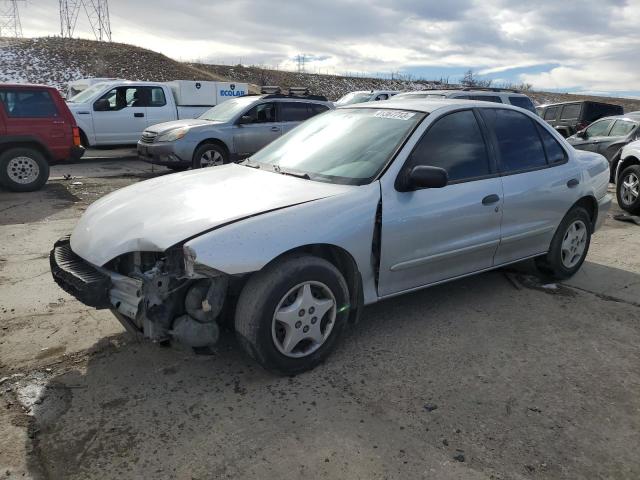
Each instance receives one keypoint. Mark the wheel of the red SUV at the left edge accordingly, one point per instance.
(23, 170)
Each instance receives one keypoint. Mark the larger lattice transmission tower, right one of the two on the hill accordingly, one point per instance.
(97, 12)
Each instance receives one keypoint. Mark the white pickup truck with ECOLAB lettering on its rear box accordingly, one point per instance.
(117, 112)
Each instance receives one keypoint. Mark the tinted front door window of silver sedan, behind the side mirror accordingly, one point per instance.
(454, 143)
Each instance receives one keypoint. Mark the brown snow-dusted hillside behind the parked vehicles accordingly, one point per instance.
(56, 61)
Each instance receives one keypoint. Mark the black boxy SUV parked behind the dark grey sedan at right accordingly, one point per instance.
(571, 117)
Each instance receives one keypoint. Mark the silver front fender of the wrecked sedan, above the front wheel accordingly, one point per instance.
(346, 221)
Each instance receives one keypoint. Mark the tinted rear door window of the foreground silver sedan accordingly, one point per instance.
(519, 144)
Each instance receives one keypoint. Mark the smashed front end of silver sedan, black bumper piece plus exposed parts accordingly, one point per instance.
(163, 295)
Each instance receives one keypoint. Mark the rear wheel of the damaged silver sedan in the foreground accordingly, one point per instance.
(569, 246)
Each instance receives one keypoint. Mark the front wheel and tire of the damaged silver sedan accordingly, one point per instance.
(291, 314)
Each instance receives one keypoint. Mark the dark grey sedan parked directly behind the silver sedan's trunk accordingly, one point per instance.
(607, 137)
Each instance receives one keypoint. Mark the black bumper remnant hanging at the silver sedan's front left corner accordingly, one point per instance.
(78, 277)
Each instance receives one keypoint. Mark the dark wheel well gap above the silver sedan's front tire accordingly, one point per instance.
(347, 266)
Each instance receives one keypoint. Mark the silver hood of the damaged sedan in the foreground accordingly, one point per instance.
(156, 214)
